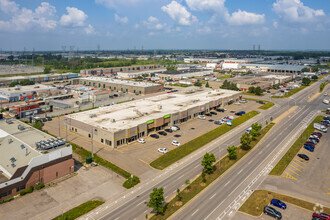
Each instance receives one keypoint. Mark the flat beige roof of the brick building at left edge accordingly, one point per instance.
(17, 147)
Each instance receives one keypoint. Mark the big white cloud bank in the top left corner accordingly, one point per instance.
(22, 18)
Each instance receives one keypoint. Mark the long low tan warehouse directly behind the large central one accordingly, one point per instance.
(121, 85)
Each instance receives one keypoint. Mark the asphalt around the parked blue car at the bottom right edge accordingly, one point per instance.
(292, 212)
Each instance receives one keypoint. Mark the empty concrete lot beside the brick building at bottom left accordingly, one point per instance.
(94, 183)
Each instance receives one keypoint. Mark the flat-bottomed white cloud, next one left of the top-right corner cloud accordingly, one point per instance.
(243, 18)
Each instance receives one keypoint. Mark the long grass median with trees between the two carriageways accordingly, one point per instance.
(198, 185)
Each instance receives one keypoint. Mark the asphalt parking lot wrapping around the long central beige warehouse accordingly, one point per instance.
(135, 157)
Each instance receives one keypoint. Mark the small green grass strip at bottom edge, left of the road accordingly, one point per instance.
(80, 210)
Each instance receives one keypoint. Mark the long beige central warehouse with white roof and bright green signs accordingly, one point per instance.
(123, 123)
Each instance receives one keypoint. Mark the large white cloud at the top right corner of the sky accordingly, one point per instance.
(296, 11)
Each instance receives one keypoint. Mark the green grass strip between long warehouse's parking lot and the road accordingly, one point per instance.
(189, 147)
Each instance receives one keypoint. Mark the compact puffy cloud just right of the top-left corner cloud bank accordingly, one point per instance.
(74, 18)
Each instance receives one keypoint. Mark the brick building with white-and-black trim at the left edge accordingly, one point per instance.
(29, 157)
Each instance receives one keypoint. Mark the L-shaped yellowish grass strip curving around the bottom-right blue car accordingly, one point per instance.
(255, 204)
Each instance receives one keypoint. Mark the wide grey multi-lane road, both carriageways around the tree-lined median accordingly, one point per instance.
(225, 196)
